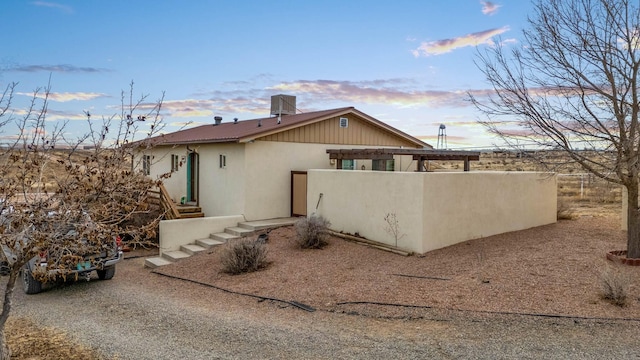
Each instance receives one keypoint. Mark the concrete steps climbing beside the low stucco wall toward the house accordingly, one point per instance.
(243, 229)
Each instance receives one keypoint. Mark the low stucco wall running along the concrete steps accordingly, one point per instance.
(175, 233)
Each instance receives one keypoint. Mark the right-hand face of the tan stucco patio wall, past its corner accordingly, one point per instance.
(479, 204)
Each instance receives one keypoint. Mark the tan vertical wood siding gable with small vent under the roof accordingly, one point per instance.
(357, 132)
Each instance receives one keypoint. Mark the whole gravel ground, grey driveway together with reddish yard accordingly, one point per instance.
(143, 315)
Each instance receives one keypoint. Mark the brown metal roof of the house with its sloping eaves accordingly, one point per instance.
(247, 130)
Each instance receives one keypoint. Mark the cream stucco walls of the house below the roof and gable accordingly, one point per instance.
(256, 181)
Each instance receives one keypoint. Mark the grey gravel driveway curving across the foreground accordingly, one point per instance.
(141, 315)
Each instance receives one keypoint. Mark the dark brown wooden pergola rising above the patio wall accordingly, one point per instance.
(421, 155)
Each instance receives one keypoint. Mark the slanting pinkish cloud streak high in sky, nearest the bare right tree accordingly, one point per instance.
(440, 47)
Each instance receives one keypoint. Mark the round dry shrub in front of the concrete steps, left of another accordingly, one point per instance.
(243, 255)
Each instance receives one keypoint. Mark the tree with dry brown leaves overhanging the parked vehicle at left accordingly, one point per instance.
(49, 183)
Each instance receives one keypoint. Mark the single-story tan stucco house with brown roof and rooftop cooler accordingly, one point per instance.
(257, 167)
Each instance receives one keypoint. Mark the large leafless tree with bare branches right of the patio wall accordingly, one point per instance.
(573, 86)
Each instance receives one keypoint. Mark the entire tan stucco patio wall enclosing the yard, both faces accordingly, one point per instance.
(433, 210)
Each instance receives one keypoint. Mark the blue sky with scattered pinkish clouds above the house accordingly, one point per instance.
(408, 63)
